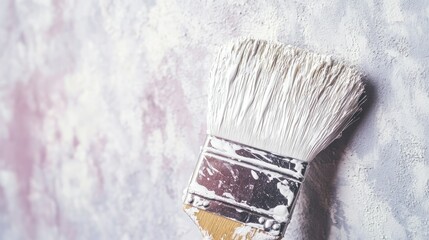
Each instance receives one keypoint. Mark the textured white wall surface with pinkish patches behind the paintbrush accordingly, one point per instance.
(102, 113)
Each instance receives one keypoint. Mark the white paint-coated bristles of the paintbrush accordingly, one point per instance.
(280, 98)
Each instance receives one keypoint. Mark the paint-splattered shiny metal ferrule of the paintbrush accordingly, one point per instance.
(249, 185)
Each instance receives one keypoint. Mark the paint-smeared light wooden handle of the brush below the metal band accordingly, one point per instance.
(216, 227)
